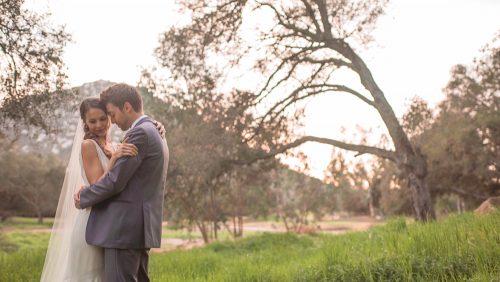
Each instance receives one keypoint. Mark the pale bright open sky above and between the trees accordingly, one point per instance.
(416, 44)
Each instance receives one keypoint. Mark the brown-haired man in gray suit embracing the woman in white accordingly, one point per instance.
(127, 204)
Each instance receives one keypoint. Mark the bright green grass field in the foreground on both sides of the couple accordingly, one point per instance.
(460, 248)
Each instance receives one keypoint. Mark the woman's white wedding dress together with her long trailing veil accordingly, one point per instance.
(69, 258)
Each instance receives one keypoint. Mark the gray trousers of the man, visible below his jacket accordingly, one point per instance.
(124, 265)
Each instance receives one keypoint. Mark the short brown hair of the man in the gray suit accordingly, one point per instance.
(120, 93)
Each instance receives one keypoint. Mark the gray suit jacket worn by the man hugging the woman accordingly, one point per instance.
(127, 204)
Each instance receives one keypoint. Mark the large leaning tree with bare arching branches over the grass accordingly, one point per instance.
(296, 57)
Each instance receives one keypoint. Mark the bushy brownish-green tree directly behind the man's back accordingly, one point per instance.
(202, 143)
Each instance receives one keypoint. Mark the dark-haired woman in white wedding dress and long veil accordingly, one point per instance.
(69, 257)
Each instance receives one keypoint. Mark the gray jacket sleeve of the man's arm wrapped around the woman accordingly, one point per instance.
(116, 180)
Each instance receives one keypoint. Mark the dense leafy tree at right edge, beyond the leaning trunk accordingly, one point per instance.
(463, 143)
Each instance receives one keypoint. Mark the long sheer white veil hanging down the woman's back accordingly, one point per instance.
(58, 251)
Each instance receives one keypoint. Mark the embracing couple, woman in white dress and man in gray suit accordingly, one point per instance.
(110, 209)
